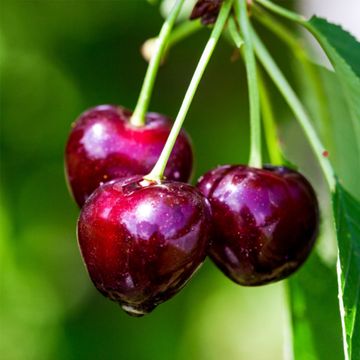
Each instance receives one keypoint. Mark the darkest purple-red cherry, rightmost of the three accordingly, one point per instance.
(265, 221)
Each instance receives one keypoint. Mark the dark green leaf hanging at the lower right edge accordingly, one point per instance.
(347, 216)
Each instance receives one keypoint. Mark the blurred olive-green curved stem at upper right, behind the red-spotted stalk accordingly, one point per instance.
(312, 79)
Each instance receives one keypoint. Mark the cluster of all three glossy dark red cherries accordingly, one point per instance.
(142, 239)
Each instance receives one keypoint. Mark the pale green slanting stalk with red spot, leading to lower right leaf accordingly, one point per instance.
(296, 106)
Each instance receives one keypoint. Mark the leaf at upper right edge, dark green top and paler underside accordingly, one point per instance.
(344, 53)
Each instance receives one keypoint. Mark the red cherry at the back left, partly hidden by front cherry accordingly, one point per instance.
(103, 145)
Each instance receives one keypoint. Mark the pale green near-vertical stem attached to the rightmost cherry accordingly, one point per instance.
(254, 99)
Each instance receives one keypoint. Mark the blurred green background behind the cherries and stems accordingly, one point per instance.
(59, 58)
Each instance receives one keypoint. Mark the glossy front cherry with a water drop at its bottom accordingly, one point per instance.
(141, 242)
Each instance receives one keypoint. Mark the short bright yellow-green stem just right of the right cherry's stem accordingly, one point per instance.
(271, 136)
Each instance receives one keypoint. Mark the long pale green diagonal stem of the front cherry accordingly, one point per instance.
(157, 172)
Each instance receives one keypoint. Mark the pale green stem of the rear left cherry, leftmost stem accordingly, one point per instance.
(138, 117)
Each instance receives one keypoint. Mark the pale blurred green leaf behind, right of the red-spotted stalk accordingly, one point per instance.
(331, 115)
